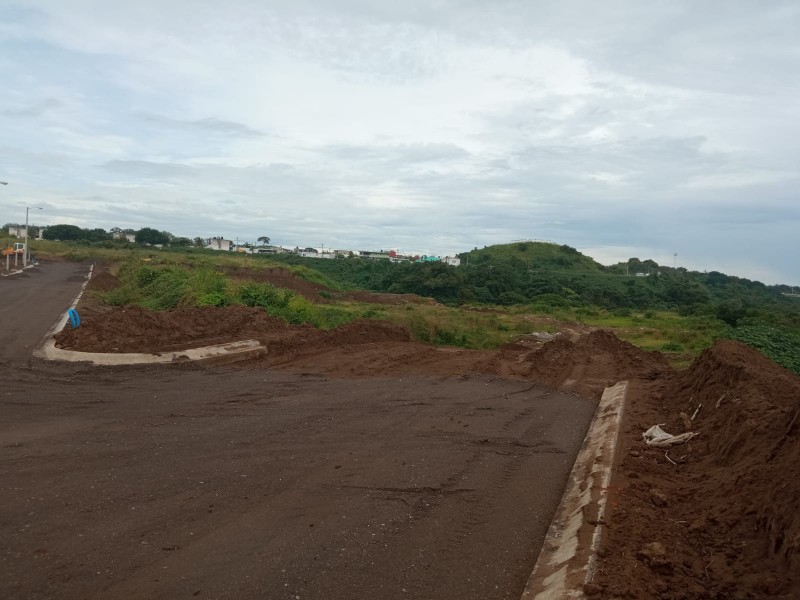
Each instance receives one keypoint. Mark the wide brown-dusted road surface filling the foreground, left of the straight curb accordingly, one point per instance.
(177, 482)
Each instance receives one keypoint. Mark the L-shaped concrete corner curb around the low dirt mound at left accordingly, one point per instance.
(219, 354)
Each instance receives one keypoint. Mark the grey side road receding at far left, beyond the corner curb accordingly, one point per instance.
(30, 303)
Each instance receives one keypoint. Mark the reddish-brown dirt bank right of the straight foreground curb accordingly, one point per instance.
(726, 505)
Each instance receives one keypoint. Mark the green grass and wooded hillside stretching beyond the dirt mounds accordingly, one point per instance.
(493, 297)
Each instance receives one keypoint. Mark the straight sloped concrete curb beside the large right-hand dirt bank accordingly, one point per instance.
(567, 559)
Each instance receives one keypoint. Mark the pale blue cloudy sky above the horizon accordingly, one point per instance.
(622, 128)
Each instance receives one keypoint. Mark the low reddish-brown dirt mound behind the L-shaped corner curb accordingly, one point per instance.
(134, 329)
